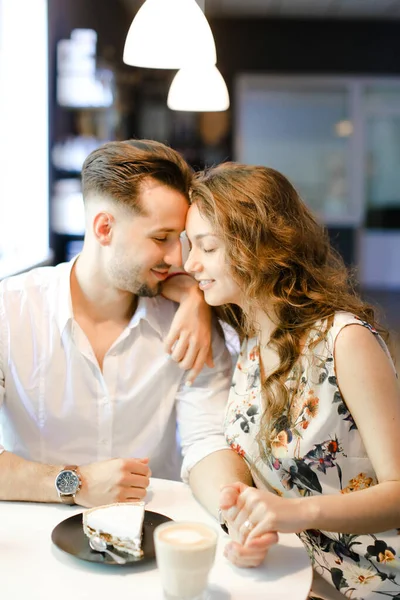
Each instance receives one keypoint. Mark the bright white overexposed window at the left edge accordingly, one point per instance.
(24, 202)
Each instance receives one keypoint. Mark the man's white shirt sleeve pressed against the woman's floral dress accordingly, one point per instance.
(201, 409)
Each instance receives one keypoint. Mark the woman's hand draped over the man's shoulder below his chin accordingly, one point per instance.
(189, 338)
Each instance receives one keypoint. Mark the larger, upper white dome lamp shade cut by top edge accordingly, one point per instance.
(169, 34)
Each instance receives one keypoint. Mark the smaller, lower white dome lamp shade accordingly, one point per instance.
(198, 89)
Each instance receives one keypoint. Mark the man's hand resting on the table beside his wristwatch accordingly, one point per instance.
(115, 480)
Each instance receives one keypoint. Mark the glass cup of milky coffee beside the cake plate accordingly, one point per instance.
(185, 553)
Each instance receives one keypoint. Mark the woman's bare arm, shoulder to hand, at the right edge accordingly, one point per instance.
(370, 389)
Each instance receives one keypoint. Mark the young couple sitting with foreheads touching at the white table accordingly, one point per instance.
(313, 410)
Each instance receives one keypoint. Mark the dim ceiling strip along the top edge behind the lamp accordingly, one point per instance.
(365, 9)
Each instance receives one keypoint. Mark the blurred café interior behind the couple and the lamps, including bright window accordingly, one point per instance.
(314, 90)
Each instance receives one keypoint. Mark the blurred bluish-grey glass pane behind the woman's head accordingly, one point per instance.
(303, 127)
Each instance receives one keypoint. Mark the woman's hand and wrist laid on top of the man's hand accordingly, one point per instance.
(254, 512)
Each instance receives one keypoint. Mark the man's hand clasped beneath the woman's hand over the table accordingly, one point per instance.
(243, 551)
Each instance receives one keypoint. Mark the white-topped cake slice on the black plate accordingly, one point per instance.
(119, 524)
